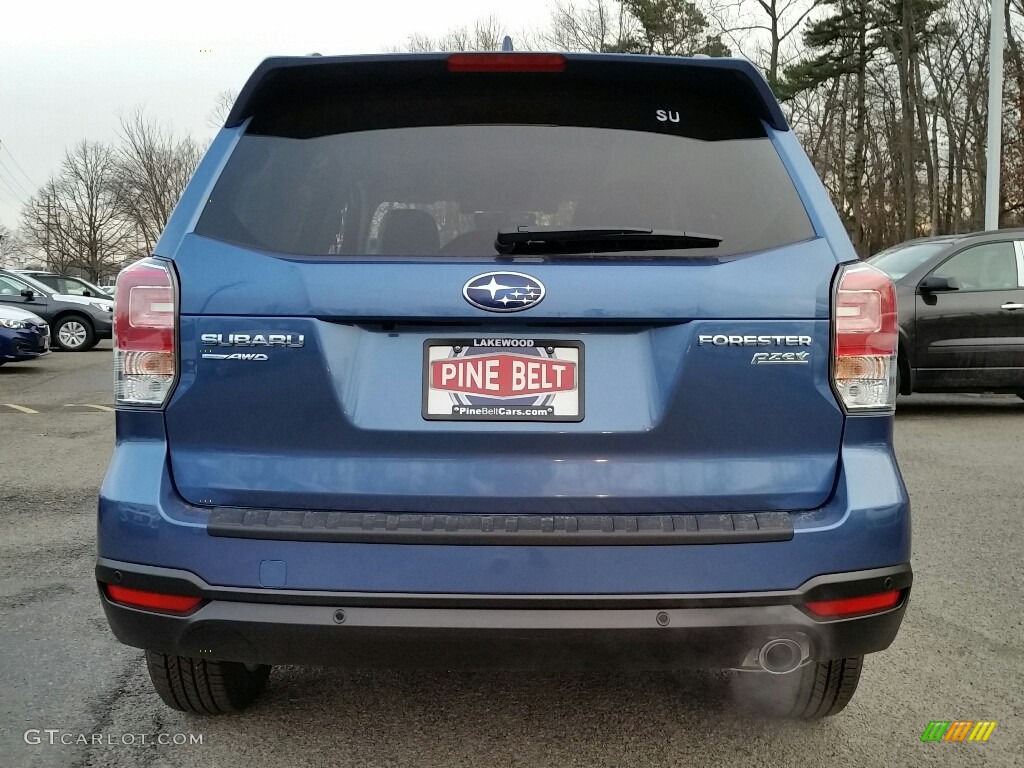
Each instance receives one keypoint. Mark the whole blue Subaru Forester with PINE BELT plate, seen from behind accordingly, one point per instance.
(505, 360)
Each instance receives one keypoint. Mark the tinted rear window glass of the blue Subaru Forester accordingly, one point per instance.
(439, 175)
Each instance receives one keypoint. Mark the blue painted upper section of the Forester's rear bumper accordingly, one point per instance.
(144, 520)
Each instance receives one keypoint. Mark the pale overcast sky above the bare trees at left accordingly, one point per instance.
(69, 68)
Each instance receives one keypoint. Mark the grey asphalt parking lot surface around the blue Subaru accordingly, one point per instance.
(960, 655)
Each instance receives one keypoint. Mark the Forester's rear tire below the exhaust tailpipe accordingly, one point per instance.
(816, 691)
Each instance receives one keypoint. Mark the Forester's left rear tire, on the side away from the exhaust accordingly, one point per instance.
(205, 688)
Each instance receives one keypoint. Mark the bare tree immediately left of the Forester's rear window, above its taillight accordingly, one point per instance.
(152, 169)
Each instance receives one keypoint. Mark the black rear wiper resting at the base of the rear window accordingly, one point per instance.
(598, 240)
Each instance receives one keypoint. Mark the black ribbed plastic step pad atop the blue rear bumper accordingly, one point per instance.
(499, 530)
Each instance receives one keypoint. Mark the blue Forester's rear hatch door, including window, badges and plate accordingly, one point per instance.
(352, 338)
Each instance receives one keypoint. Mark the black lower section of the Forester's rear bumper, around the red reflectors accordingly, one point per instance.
(262, 626)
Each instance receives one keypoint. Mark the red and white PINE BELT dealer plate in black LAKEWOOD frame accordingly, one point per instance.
(503, 379)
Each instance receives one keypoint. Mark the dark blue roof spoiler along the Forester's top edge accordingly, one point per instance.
(732, 80)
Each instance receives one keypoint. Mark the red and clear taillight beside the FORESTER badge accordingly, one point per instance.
(866, 339)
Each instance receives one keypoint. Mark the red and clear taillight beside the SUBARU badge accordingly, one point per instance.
(145, 318)
